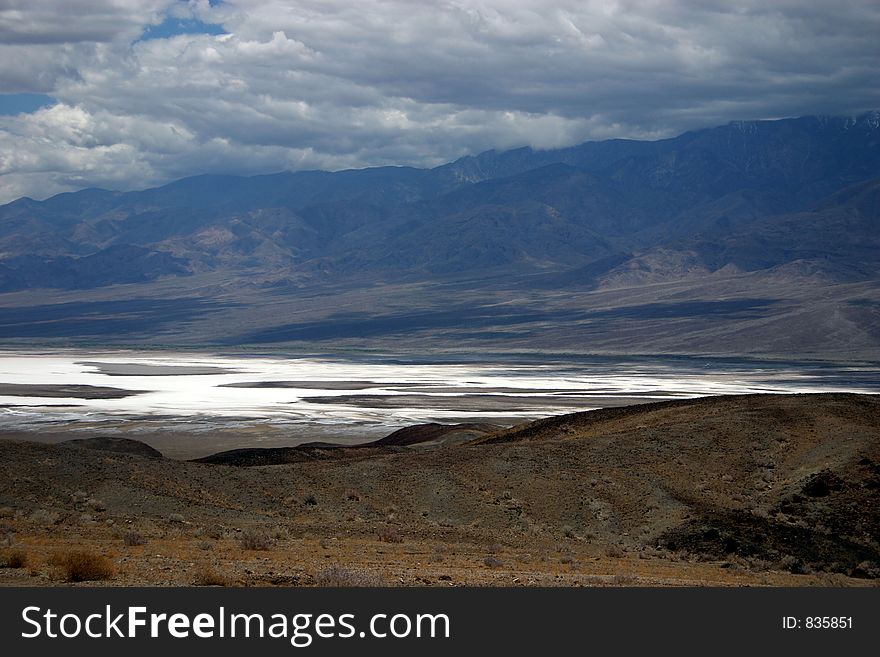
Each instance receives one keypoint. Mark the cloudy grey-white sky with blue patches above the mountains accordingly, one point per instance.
(126, 94)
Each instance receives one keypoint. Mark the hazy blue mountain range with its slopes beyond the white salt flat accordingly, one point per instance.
(751, 238)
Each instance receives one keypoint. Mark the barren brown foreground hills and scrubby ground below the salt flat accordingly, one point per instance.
(732, 490)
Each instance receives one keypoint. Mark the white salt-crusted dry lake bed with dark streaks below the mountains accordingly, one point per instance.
(192, 404)
